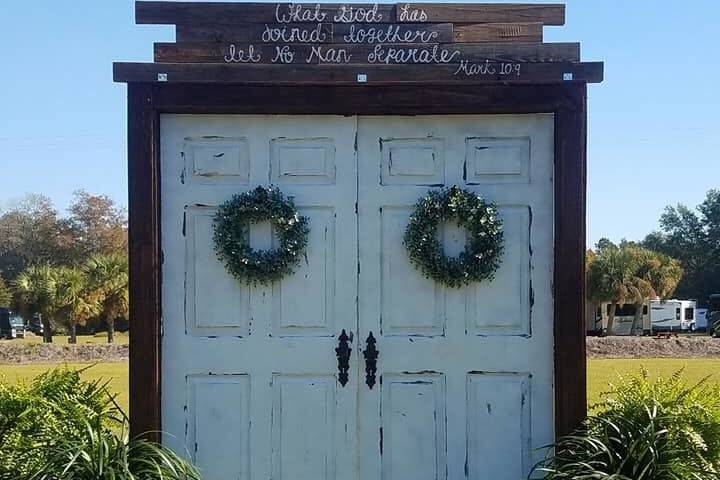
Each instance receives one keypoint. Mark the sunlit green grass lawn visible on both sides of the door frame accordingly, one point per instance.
(600, 372)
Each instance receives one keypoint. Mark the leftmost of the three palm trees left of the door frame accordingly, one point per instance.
(36, 289)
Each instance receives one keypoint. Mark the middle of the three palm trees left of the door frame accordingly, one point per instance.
(74, 300)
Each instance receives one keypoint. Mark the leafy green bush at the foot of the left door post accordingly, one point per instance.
(62, 427)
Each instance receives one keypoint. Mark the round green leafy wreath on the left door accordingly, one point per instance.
(231, 235)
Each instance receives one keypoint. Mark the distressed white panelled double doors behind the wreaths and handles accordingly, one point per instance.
(251, 386)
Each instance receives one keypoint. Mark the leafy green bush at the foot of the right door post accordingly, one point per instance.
(644, 430)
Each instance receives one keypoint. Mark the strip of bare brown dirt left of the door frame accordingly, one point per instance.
(21, 352)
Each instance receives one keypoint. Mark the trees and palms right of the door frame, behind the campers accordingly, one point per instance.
(681, 259)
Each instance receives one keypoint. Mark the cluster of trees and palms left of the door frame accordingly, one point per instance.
(71, 270)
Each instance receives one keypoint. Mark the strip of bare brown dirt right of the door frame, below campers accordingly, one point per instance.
(650, 347)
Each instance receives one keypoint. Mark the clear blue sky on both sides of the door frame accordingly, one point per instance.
(654, 132)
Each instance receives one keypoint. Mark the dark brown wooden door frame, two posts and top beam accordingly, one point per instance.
(147, 101)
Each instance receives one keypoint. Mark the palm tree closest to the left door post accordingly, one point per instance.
(108, 276)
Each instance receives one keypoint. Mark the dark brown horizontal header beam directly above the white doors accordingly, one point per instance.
(358, 100)
